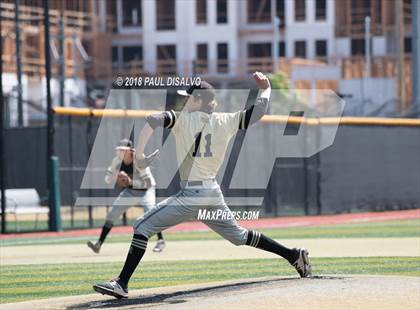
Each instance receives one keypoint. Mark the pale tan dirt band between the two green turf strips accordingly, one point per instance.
(210, 249)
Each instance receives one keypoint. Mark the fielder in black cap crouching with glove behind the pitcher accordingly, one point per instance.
(138, 189)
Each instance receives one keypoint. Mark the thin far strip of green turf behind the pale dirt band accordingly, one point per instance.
(403, 228)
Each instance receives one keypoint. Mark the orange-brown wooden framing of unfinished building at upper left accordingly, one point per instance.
(81, 36)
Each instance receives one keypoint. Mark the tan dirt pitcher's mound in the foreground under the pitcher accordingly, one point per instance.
(328, 292)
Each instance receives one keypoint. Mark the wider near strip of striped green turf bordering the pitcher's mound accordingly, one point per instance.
(27, 282)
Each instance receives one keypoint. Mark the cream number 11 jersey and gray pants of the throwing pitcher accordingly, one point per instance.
(201, 143)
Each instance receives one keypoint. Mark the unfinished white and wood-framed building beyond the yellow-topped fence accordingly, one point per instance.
(353, 47)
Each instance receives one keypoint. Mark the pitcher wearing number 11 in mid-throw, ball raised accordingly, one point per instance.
(202, 137)
